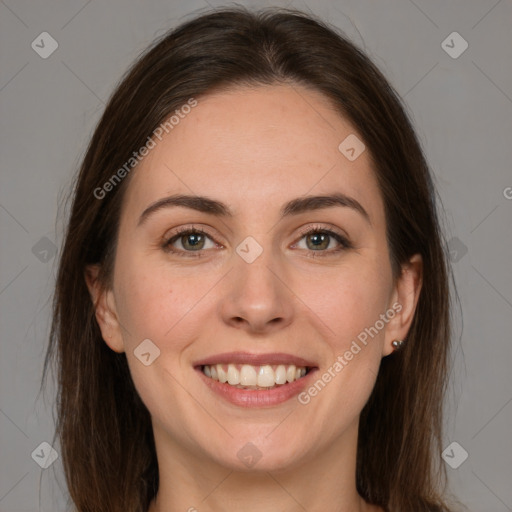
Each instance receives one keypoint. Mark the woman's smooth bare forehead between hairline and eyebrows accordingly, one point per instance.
(256, 148)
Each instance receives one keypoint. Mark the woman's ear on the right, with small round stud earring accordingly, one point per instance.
(404, 299)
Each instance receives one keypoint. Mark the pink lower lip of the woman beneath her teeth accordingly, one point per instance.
(257, 398)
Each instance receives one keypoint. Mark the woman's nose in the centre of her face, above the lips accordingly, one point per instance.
(257, 296)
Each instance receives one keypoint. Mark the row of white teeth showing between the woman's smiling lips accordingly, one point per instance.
(251, 377)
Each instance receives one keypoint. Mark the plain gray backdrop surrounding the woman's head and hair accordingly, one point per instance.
(462, 110)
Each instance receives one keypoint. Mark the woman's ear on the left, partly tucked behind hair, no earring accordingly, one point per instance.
(105, 310)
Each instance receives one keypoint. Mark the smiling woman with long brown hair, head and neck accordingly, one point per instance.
(252, 307)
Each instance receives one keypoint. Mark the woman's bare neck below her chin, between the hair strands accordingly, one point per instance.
(194, 483)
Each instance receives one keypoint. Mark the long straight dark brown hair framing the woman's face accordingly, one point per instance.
(99, 413)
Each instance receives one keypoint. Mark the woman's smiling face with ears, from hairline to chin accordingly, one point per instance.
(252, 289)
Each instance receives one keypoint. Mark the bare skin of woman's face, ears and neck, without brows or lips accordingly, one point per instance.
(254, 149)
